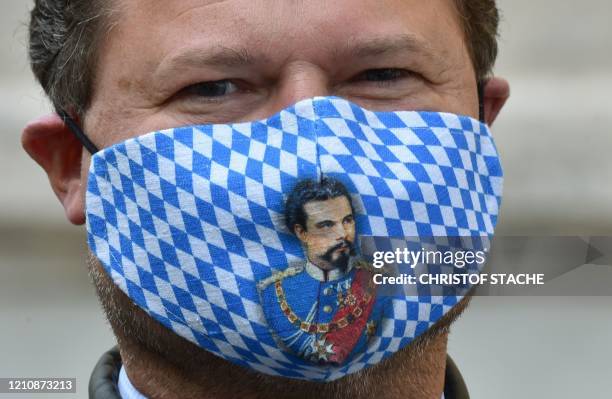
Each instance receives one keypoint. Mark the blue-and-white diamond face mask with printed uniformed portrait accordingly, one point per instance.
(244, 238)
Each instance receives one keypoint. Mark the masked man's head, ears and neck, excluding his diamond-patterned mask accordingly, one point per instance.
(121, 68)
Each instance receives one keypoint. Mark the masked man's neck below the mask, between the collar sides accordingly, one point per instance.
(189, 372)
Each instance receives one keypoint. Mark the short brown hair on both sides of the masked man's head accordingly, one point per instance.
(64, 38)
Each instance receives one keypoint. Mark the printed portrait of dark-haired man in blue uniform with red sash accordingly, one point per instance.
(325, 308)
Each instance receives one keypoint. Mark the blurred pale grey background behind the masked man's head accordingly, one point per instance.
(555, 141)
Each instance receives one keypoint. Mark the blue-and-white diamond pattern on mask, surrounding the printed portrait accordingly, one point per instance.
(186, 221)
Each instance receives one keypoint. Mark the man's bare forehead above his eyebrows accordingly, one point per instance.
(301, 29)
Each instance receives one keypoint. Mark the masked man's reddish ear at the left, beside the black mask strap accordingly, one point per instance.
(53, 146)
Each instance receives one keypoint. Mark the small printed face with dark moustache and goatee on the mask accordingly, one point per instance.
(330, 232)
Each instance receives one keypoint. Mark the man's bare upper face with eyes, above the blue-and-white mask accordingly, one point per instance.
(172, 63)
